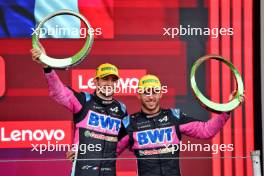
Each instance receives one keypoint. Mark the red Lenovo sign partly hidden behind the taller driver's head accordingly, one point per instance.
(82, 80)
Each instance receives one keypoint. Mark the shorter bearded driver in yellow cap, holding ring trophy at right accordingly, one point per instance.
(154, 132)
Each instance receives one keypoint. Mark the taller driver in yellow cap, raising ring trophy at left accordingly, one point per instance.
(97, 118)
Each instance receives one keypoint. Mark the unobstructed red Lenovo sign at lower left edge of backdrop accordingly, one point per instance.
(22, 134)
